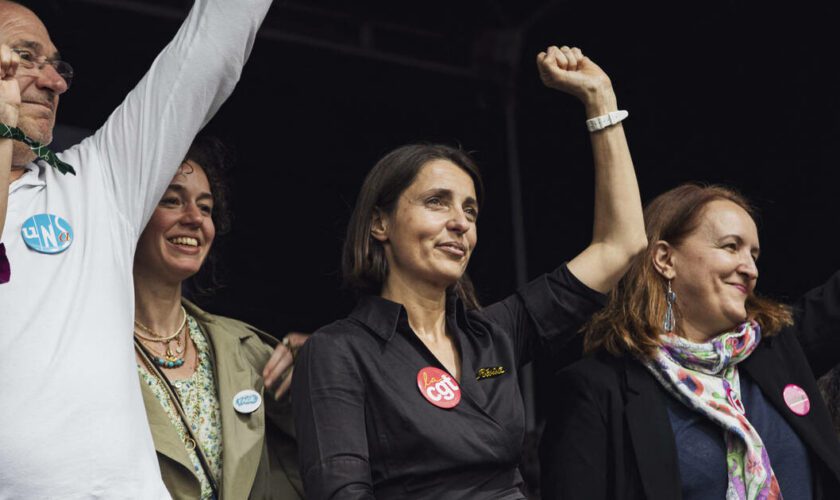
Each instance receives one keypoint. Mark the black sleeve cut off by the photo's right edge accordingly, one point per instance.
(817, 325)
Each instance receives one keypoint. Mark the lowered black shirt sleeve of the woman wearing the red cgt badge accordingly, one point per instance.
(328, 399)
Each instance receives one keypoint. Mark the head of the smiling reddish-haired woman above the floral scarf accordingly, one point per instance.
(704, 247)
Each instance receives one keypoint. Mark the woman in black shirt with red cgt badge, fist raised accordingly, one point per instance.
(415, 394)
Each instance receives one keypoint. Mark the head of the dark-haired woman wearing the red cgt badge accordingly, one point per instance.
(429, 177)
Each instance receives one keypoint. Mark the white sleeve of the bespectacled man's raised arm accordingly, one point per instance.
(145, 139)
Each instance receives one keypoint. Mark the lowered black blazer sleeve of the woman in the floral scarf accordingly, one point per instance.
(574, 448)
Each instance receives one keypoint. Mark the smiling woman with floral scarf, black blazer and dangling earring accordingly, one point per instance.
(695, 386)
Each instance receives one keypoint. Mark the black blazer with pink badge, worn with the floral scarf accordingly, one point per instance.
(610, 436)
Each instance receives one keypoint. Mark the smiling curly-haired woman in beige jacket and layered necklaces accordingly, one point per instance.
(201, 372)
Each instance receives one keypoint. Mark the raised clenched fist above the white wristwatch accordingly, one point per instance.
(567, 69)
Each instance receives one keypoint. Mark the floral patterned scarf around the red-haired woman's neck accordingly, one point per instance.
(704, 377)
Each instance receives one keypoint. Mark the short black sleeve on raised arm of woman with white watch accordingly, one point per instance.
(547, 312)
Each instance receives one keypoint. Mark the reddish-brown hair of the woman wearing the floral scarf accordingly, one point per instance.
(631, 323)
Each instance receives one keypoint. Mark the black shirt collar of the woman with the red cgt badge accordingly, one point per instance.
(384, 317)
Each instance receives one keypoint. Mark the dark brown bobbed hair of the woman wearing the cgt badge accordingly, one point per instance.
(363, 263)
